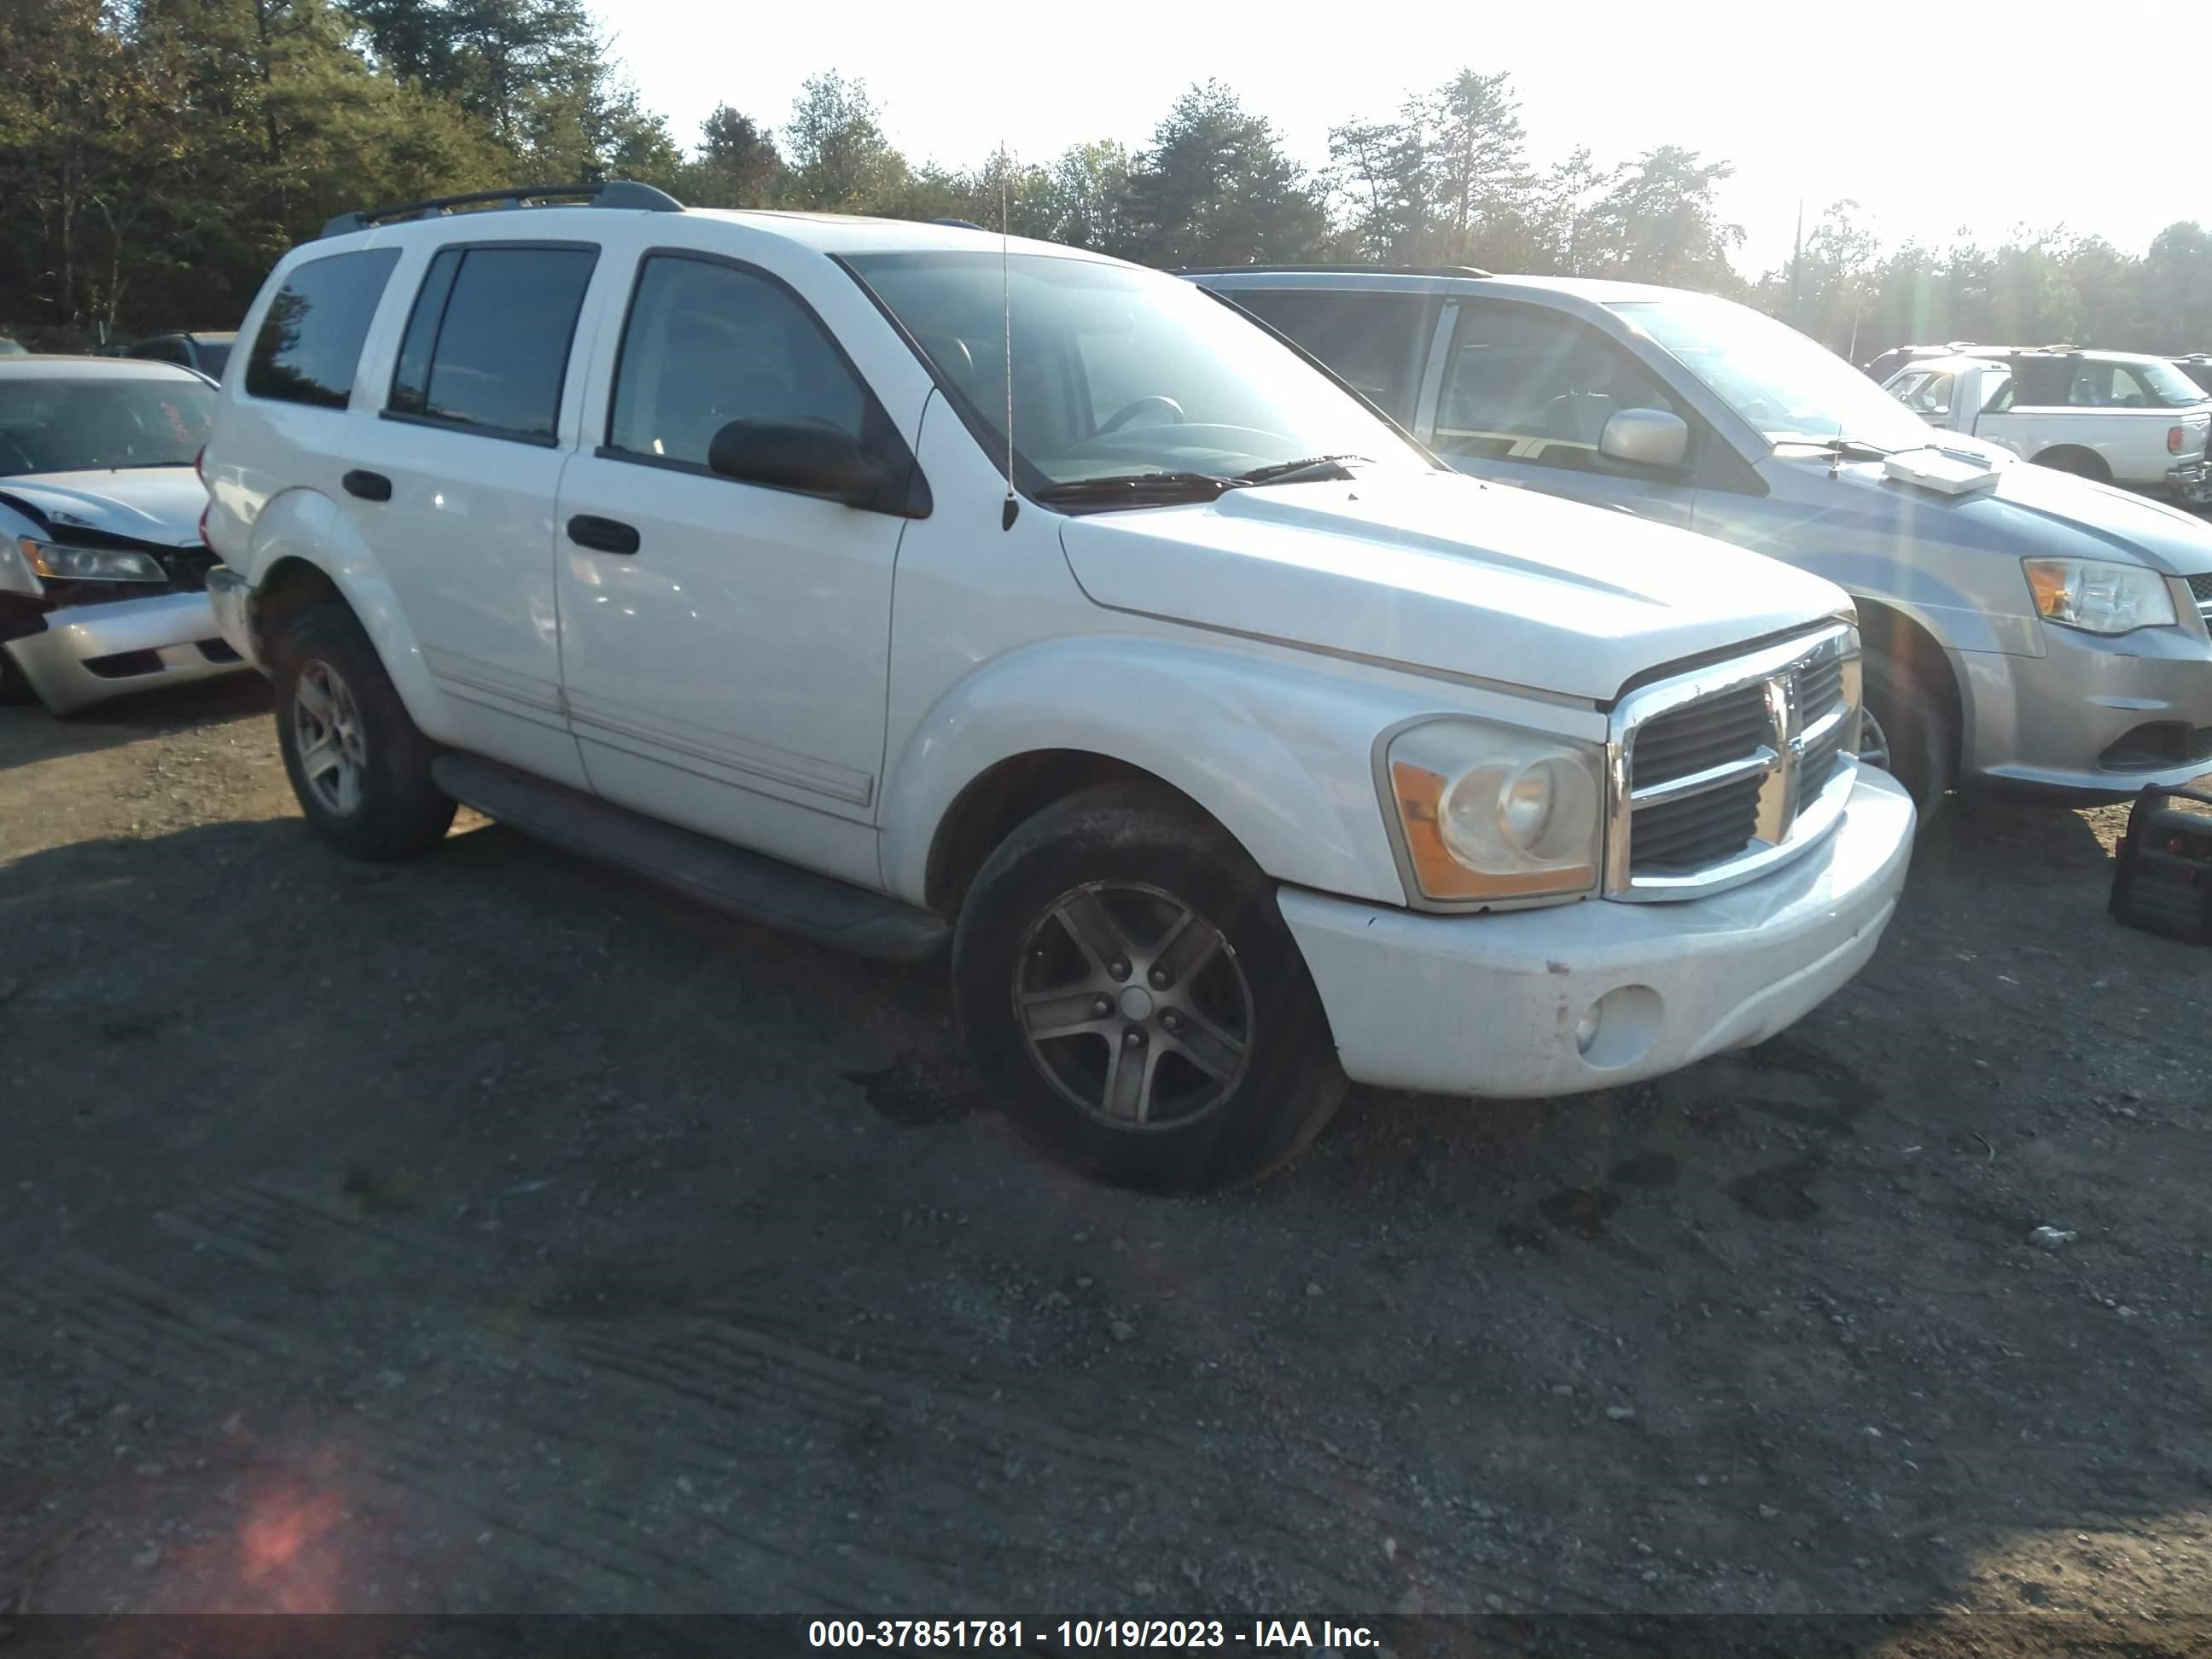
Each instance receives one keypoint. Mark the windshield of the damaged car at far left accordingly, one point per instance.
(90, 424)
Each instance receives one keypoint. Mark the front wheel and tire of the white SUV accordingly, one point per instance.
(1127, 981)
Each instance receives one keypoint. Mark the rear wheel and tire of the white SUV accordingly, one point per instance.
(357, 760)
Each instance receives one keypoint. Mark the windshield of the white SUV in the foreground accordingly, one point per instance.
(1118, 373)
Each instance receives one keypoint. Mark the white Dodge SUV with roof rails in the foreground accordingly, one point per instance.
(1229, 742)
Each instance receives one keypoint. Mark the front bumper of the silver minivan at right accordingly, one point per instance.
(2096, 718)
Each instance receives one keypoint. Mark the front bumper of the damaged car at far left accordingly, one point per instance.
(94, 651)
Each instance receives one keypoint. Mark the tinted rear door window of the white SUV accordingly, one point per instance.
(488, 344)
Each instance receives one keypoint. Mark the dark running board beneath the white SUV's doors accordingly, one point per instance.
(693, 866)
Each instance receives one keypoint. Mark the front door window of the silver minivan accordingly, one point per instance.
(1534, 386)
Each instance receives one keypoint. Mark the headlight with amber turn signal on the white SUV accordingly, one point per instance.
(1494, 813)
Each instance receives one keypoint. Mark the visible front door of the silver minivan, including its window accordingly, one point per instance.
(1525, 401)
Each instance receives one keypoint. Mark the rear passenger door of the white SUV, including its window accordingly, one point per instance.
(457, 477)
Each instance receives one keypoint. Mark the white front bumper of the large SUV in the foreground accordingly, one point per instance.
(1490, 1005)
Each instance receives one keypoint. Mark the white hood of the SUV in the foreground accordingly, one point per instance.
(1448, 574)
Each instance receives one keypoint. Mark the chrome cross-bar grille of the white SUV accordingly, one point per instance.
(1722, 773)
